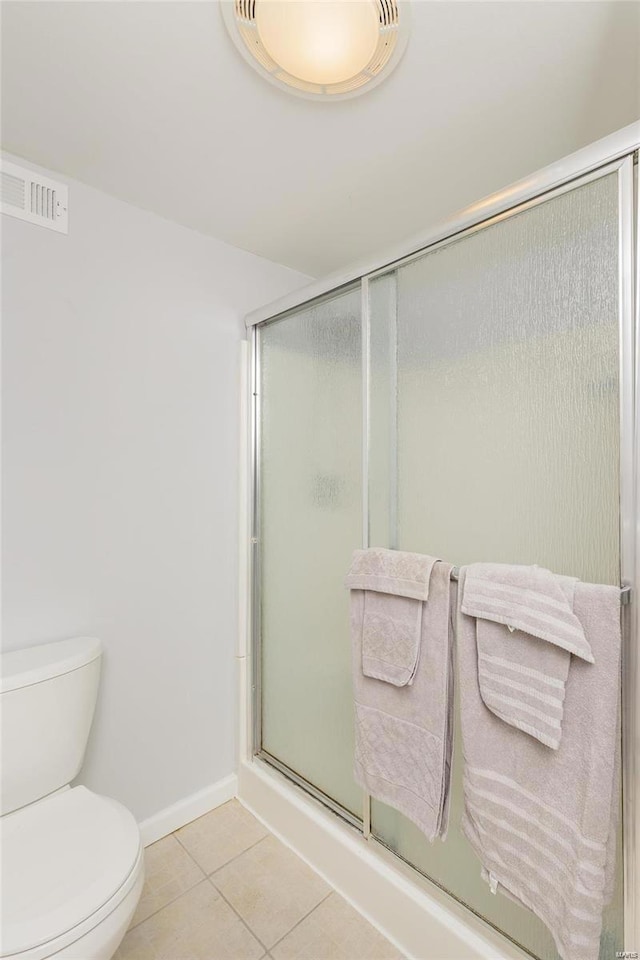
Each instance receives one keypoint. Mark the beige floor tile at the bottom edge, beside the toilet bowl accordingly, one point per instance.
(199, 925)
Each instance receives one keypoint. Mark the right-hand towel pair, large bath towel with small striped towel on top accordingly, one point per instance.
(540, 736)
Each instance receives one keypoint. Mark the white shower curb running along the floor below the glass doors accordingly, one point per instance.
(417, 917)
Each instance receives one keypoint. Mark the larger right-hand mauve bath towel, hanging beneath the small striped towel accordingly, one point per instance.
(543, 821)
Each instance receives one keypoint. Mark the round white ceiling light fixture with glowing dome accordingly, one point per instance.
(319, 48)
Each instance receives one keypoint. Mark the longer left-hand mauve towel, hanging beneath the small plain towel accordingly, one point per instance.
(403, 733)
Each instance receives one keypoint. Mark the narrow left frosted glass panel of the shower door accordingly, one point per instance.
(311, 509)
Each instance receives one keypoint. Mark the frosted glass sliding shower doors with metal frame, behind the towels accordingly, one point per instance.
(471, 398)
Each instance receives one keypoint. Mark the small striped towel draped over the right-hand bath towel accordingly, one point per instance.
(523, 670)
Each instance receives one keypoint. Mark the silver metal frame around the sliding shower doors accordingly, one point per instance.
(618, 152)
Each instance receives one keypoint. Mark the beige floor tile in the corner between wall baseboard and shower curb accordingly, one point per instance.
(221, 835)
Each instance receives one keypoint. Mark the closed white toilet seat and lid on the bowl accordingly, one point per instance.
(68, 862)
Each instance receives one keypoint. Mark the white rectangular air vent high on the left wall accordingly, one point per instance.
(28, 196)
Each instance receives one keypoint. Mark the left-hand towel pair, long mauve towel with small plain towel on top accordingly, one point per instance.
(402, 676)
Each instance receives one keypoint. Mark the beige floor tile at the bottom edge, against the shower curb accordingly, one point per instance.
(334, 931)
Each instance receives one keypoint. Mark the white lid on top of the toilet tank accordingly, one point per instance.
(21, 668)
